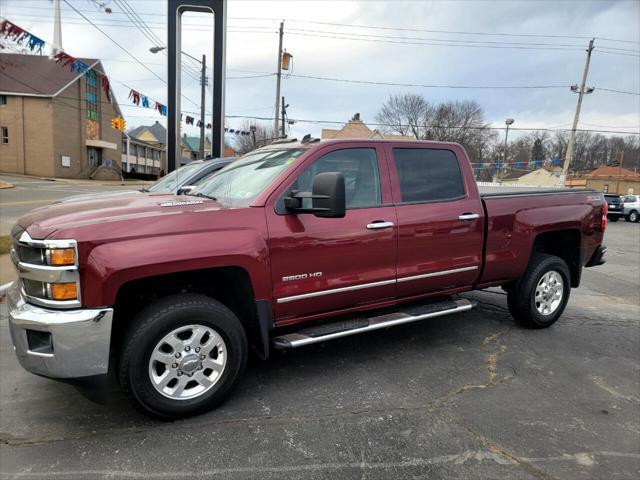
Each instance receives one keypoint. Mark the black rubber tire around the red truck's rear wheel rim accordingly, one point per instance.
(521, 299)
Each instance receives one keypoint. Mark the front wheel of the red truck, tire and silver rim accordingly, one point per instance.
(182, 356)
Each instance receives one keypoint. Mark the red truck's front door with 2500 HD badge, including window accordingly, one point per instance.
(326, 264)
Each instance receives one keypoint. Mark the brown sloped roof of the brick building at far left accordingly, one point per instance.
(36, 75)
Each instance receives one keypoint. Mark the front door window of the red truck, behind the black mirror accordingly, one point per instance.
(360, 169)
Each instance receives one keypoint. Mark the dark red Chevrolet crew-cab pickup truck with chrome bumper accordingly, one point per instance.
(293, 244)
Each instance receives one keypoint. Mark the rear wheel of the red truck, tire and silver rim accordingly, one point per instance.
(541, 295)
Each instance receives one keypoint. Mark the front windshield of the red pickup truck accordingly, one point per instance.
(238, 184)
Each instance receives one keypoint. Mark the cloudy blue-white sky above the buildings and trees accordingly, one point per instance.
(446, 43)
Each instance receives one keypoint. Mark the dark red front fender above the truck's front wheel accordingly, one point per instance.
(111, 265)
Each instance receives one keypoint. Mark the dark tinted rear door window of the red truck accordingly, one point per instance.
(428, 175)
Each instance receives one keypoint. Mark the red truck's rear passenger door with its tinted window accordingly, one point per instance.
(440, 219)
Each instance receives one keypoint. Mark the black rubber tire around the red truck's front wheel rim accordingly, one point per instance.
(151, 325)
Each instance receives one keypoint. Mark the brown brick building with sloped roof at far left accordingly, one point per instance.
(55, 122)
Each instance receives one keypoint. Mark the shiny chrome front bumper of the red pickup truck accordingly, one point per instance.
(79, 338)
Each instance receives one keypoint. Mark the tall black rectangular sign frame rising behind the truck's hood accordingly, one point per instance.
(174, 15)
